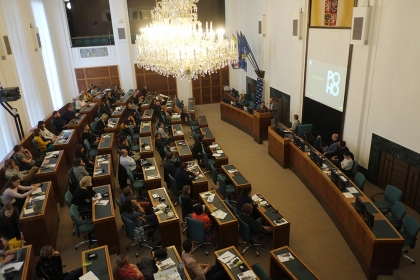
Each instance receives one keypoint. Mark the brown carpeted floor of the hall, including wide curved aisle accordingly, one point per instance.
(313, 237)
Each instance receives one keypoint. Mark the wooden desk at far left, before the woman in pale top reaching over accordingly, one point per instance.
(42, 227)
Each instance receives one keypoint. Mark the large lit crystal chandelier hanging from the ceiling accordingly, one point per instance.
(176, 44)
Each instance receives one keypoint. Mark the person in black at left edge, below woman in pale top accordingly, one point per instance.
(10, 228)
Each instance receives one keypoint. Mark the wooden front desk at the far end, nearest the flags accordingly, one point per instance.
(255, 125)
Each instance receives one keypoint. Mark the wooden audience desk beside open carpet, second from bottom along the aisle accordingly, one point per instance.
(280, 233)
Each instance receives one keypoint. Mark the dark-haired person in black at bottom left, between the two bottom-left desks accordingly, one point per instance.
(50, 266)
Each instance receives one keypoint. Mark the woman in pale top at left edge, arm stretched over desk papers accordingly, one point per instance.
(9, 193)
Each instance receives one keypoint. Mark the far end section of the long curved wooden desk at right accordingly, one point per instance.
(279, 148)
